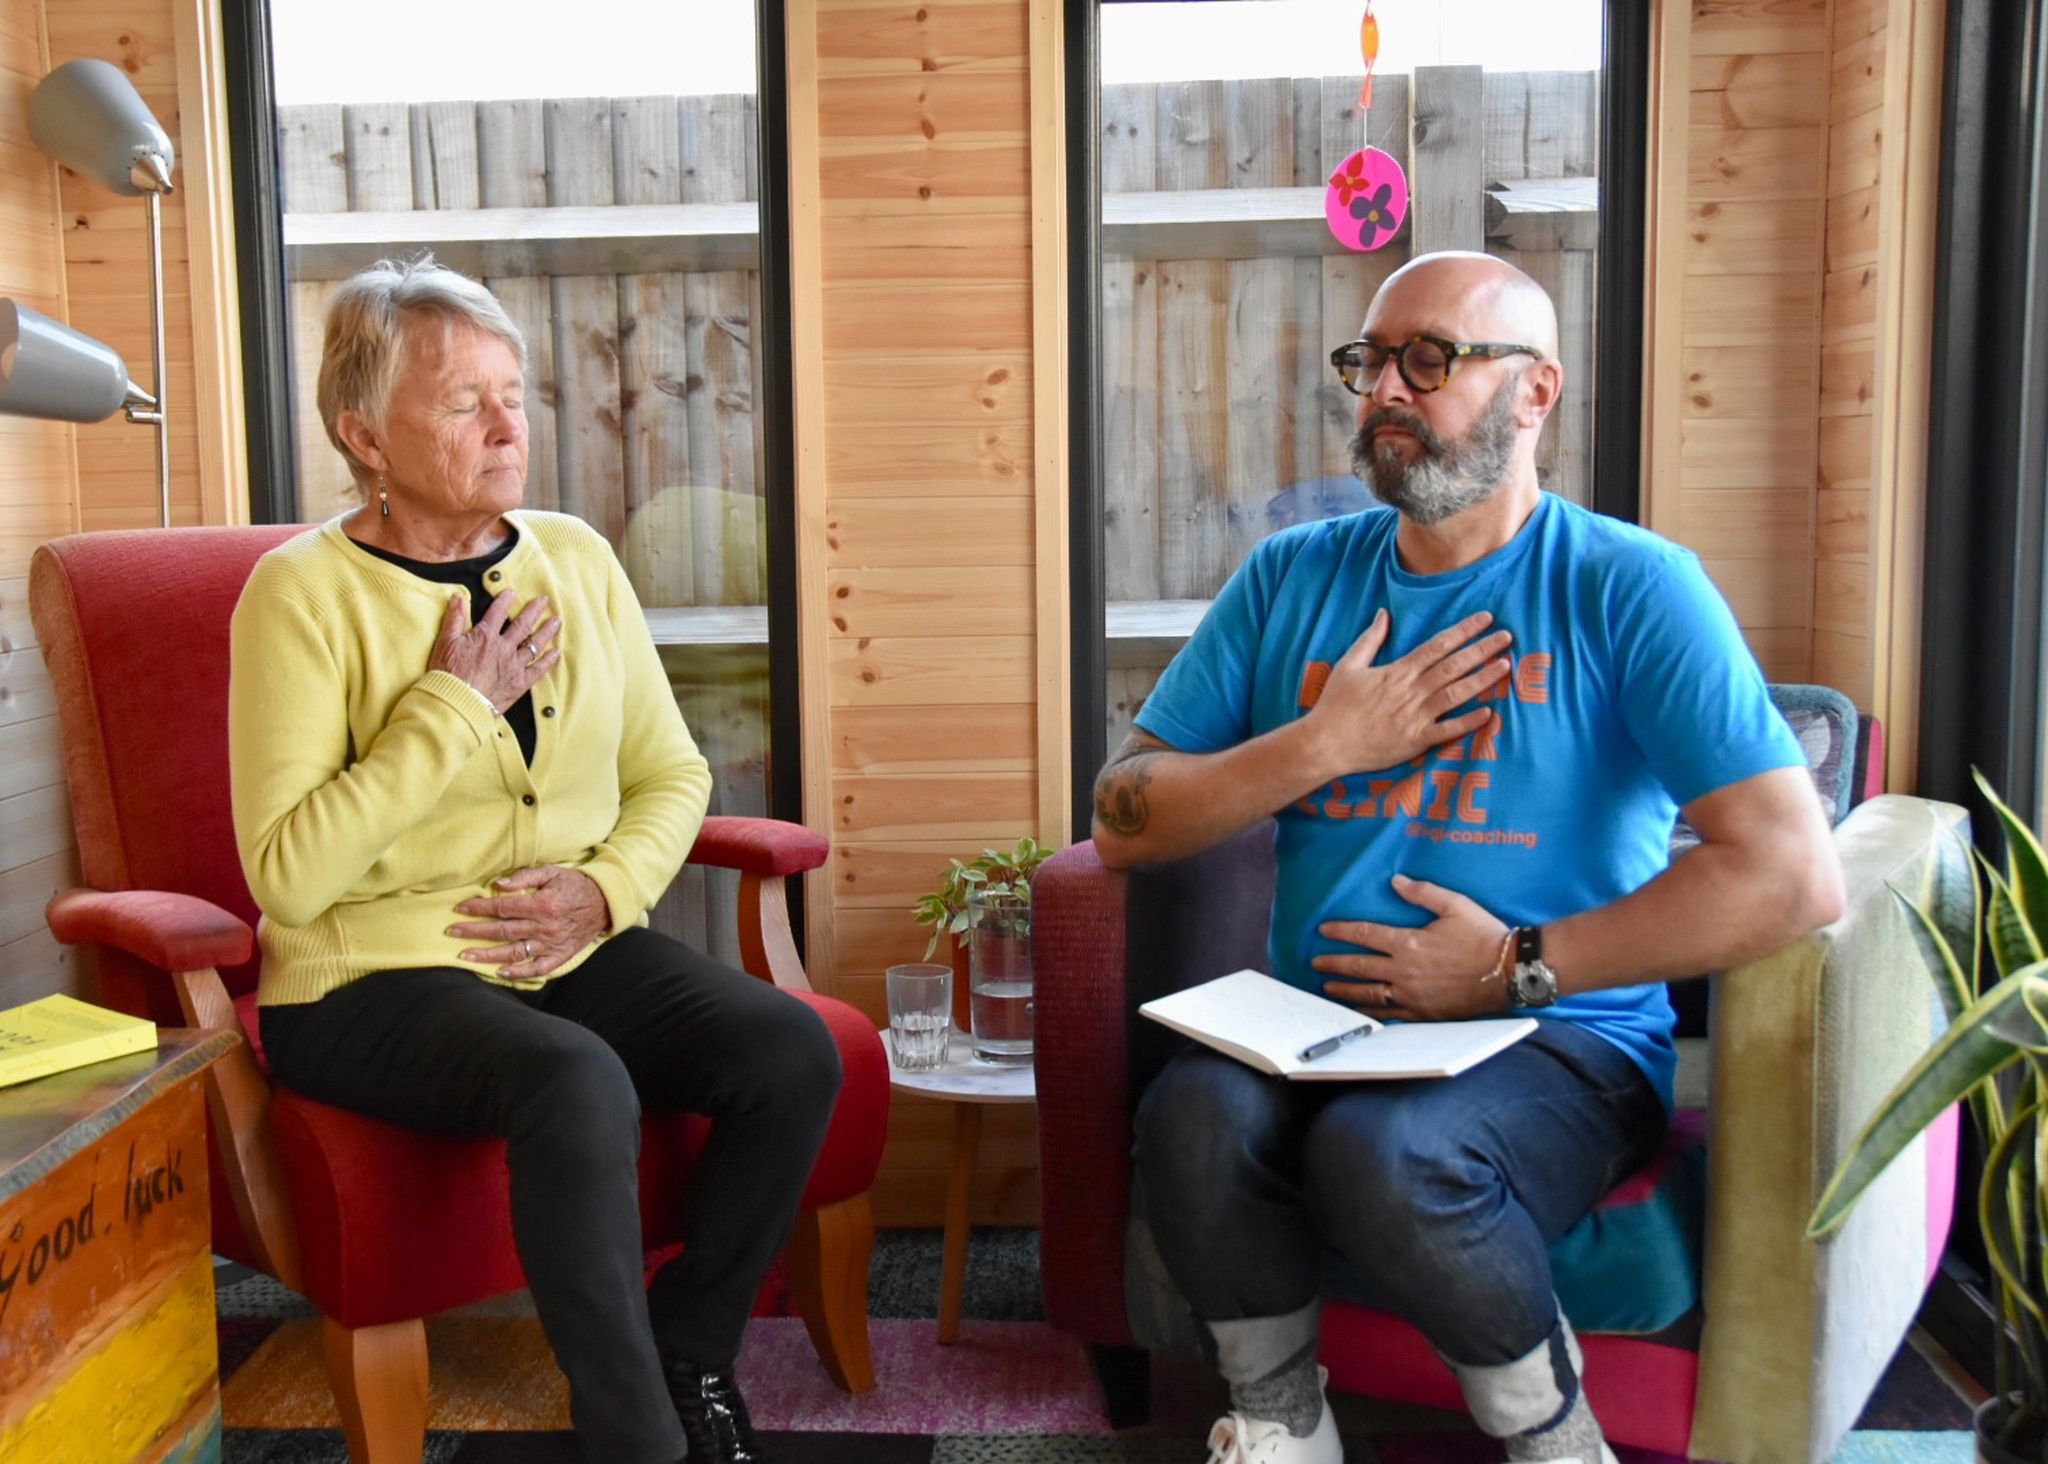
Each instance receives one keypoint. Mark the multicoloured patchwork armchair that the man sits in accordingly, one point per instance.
(1787, 1338)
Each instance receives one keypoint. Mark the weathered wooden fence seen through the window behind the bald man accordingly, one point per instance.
(1222, 415)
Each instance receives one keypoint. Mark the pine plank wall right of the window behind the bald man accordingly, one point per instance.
(1738, 308)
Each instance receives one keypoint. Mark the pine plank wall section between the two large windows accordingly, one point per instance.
(912, 253)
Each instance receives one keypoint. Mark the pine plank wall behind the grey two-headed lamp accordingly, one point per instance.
(79, 253)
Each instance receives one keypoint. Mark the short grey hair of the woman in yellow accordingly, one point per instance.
(368, 333)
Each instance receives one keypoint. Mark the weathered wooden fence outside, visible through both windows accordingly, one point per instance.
(1222, 417)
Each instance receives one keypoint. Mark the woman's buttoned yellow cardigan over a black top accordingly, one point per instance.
(372, 795)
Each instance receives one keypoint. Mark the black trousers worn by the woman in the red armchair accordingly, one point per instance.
(562, 1076)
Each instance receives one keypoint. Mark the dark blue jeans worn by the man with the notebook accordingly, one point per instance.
(1437, 1197)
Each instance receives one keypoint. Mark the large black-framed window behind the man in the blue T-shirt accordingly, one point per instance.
(1224, 288)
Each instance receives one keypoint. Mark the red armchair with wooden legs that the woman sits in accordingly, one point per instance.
(374, 1223)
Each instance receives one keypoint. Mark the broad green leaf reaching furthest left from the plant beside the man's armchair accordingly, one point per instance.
(1965, 1058)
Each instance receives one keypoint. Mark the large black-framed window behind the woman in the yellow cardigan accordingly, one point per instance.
(599, 171)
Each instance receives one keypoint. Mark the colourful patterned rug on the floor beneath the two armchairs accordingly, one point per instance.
(1011, 1391)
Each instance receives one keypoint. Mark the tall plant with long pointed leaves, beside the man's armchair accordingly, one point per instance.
(1996, 1058)
